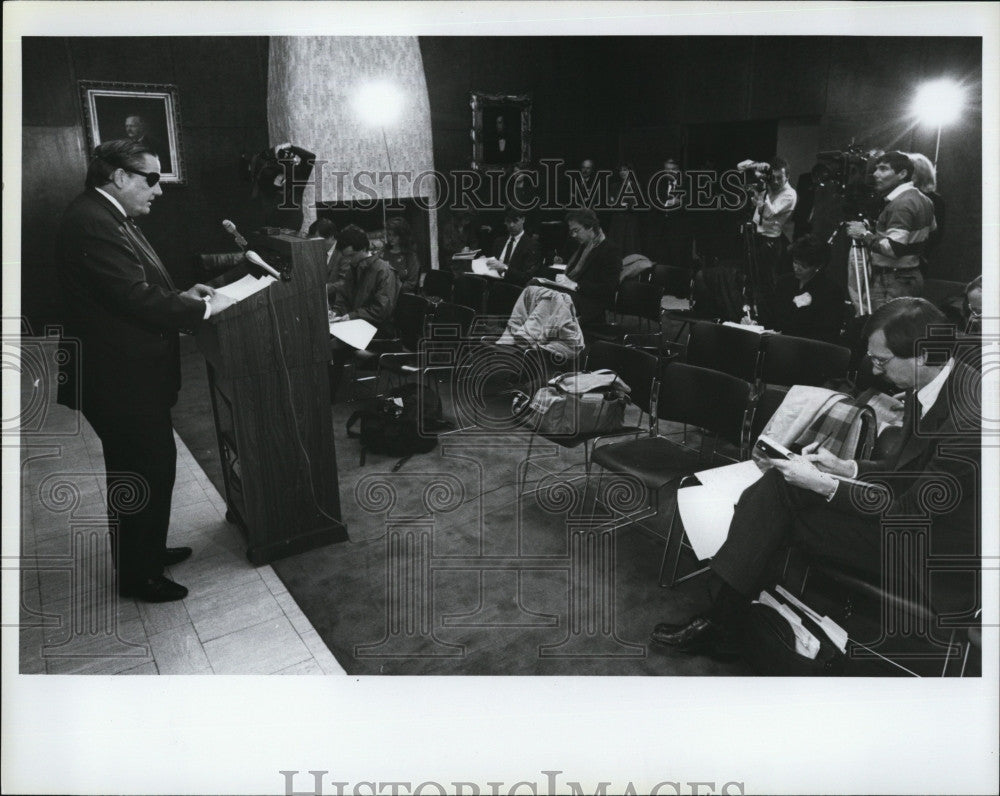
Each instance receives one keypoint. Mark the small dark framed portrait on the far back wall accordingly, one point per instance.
(501, 130)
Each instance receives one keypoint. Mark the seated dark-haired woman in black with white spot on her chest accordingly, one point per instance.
(806, 302)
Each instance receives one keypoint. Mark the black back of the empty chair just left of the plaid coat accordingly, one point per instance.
(714, 401)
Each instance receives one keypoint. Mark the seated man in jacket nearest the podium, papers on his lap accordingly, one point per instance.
(367, 290)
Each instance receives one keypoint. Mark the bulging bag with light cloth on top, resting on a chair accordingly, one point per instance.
(579, 403)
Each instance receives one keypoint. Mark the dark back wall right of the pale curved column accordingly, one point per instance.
(610, 97)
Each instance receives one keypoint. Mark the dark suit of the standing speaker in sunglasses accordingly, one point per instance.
(122, 306)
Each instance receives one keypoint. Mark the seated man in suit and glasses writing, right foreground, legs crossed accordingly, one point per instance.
(804, 502)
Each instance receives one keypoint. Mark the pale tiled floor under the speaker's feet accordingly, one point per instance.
(237, 619)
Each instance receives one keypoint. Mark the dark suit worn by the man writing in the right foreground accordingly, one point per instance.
(933, 472)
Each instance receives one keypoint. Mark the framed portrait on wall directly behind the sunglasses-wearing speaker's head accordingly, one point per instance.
(145, 112)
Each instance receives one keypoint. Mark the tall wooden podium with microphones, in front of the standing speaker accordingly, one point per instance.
(267, 373)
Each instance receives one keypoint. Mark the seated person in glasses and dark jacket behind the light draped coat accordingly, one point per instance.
(594, 269)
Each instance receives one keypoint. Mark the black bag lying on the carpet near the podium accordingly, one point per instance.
(403, 422)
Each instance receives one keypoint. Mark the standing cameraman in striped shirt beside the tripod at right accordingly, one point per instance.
(901, 231)
